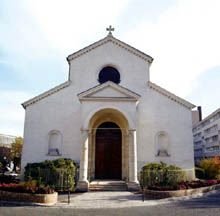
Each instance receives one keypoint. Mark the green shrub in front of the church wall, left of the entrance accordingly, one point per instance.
(59, 174)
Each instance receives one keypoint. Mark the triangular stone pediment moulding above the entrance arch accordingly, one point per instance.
(129, 95)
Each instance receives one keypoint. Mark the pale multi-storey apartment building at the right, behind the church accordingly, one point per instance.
(206, 136)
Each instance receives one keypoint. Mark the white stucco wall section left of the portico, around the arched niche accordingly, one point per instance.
(59, 111)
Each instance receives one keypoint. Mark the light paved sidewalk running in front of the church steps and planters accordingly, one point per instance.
(116, 199)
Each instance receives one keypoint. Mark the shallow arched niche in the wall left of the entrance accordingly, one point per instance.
(55, 143)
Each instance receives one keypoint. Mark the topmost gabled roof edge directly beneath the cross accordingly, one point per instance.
(111, 39)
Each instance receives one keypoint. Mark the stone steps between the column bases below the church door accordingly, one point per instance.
(107, 185)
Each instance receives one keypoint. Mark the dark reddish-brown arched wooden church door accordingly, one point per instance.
(108, 151)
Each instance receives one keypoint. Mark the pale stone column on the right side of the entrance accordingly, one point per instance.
(133, 183)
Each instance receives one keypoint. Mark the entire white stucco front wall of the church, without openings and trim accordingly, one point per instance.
(62, 111)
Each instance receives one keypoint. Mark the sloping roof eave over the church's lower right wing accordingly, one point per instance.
(171, 96)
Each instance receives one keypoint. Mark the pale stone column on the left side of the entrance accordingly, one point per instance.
(83, 184)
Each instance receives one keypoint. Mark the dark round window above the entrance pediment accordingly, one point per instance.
(109, 74)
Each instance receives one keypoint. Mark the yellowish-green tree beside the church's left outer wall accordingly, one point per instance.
(16, 151)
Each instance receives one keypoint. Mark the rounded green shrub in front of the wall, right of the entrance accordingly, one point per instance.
(161, 174)
